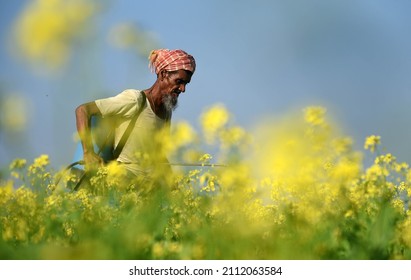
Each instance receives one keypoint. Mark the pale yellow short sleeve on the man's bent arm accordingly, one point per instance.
(123, 105)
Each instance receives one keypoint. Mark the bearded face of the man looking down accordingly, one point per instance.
(174, 83)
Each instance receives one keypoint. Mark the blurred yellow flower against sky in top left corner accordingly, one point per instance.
(45, 30)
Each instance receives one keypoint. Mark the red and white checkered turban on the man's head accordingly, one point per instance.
(171, 60)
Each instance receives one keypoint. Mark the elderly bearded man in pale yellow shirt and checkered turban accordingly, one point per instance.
(153, 106)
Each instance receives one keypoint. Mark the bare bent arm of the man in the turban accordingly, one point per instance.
(84, 113)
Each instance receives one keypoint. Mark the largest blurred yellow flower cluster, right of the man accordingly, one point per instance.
(308, 167)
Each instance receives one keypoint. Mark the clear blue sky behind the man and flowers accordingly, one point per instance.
(258, 58)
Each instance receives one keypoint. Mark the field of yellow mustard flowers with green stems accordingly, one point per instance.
(294, 188)
